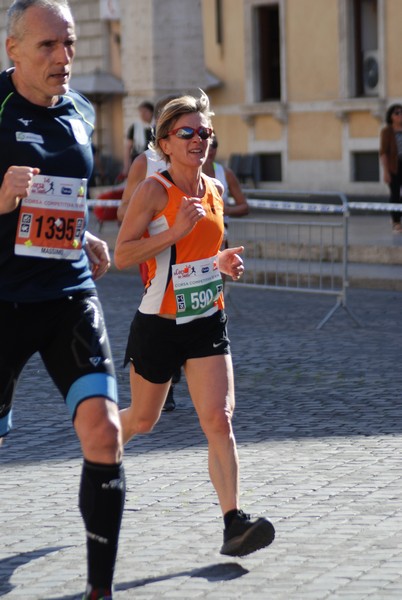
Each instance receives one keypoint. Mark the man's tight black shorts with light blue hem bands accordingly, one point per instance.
(70, 335)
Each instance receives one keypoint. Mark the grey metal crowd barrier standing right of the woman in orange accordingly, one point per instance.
(302, 254)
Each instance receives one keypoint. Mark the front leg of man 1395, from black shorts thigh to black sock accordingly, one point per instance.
(90, 391)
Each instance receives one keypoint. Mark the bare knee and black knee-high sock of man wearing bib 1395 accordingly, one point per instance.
(102, 490)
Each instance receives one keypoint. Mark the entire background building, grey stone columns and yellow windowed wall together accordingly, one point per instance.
(299, 86)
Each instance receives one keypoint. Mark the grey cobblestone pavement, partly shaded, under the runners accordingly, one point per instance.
(319, 429)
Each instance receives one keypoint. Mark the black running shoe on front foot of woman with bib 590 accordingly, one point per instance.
(243, 536)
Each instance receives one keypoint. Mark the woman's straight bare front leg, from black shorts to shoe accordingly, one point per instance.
(211, 386)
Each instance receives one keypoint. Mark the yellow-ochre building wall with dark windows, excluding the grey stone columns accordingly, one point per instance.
(305, 86)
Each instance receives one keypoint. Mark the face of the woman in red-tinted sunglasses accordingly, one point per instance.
(187, 152)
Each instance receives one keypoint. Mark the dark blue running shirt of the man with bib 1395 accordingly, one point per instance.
(43, 137)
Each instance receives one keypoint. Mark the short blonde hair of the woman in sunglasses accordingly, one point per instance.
(173, 110)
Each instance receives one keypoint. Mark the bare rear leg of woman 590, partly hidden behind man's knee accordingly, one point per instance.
(147, 400)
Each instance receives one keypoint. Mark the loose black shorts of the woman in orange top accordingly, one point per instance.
(158, 347)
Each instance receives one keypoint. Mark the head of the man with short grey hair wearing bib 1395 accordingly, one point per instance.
(43, 55)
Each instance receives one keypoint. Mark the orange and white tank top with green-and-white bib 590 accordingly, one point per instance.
(184, 280)
